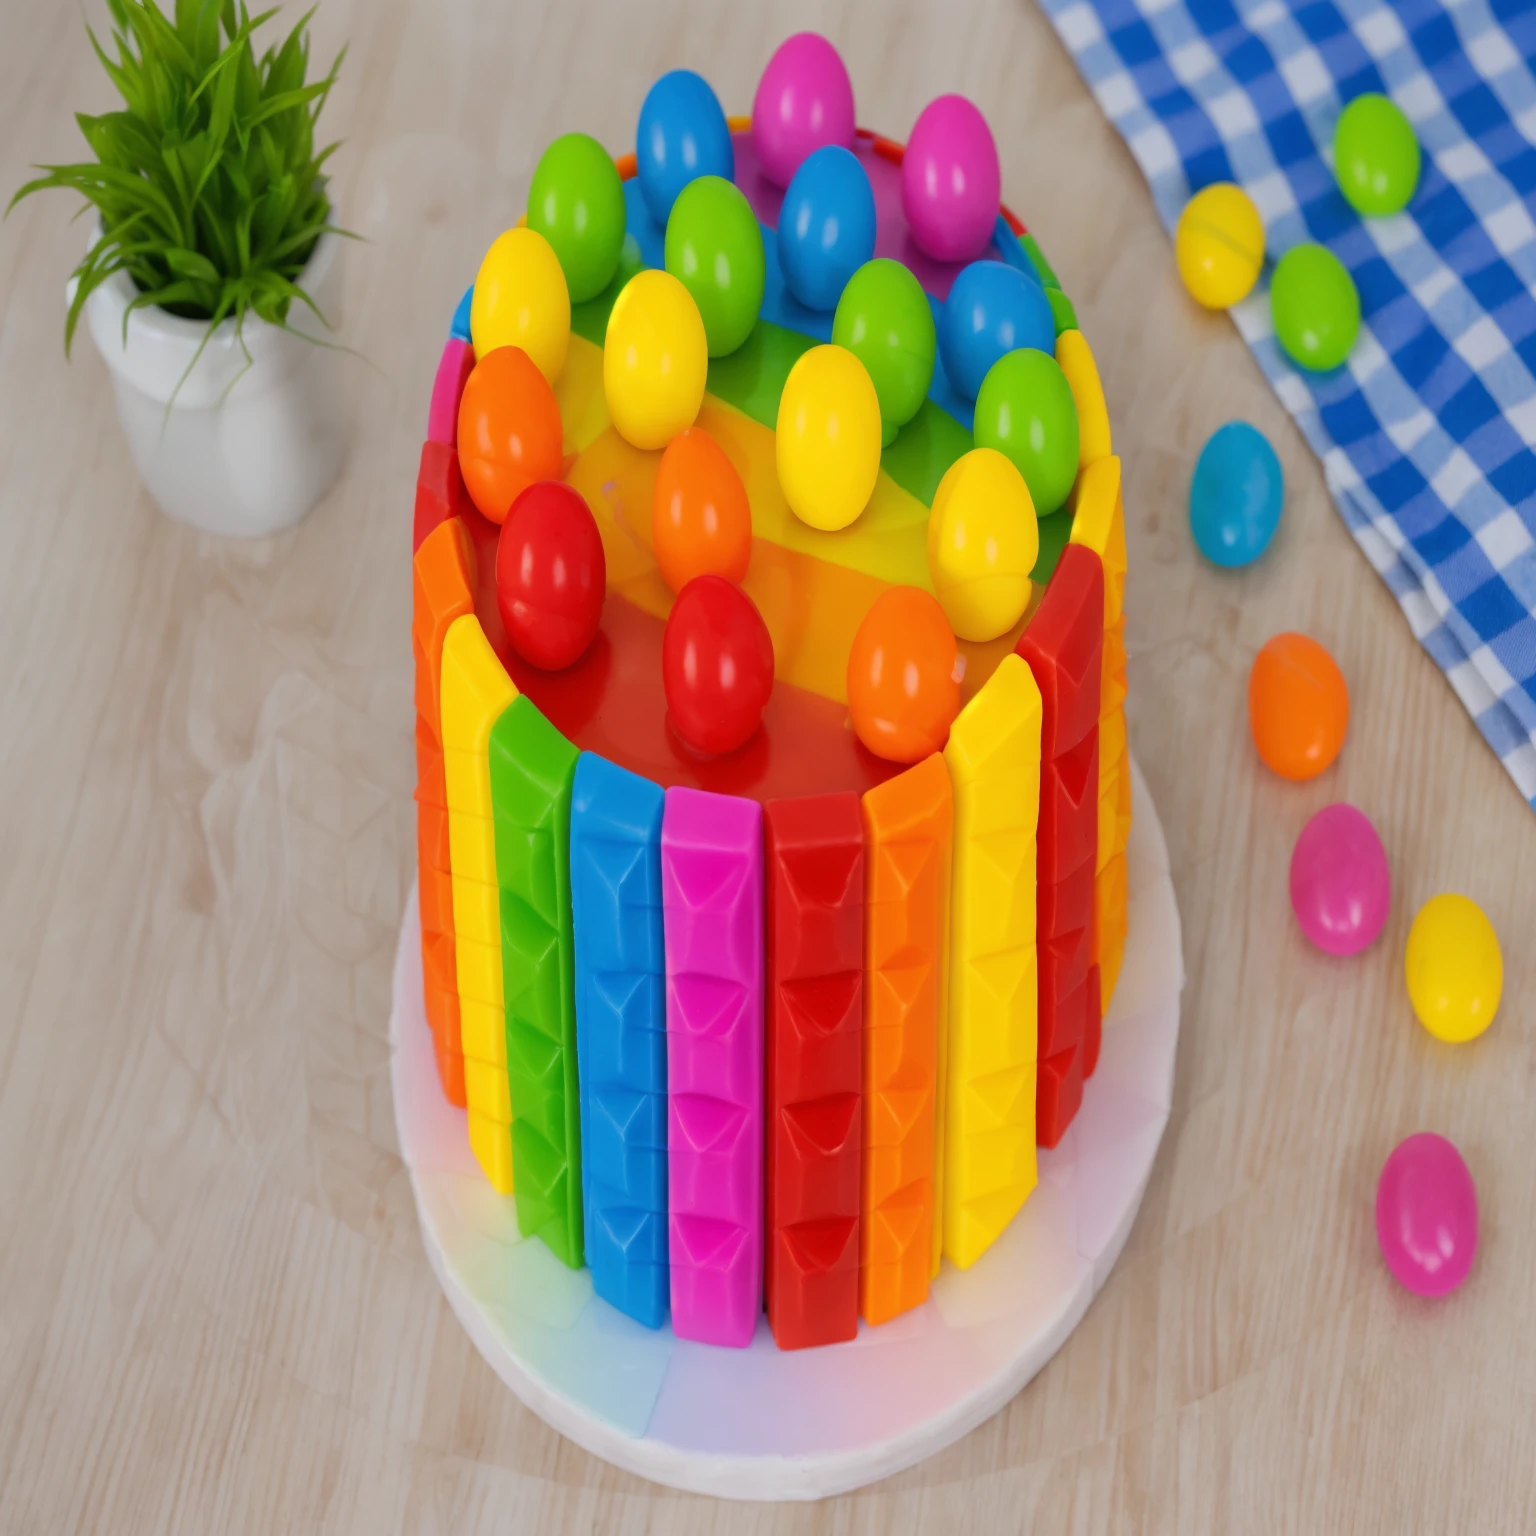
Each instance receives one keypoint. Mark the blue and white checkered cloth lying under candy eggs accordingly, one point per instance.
(1428, 435)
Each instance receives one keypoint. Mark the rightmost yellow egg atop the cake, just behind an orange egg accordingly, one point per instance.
(982, 545)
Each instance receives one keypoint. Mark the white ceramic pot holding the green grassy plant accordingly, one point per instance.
(250, 445)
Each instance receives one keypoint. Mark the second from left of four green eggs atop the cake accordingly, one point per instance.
(715, 248)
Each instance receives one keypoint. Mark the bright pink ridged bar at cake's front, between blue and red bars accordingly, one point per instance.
(713, 921)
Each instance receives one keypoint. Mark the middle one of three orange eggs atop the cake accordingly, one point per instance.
(701, 518)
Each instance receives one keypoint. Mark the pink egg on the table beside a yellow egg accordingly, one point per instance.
(1340, 882)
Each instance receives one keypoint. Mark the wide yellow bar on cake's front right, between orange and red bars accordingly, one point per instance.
(990, 1128)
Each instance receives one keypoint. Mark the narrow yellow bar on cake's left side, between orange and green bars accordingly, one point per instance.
(475, 692)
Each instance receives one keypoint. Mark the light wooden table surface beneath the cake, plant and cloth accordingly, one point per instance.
(216, 1314)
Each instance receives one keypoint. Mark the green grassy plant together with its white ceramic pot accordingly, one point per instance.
(211, 279)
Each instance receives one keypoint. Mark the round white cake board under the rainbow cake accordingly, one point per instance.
(763, 1423)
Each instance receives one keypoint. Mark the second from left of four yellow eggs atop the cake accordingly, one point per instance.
(655, 360)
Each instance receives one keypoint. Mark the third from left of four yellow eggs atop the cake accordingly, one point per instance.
(829, 439)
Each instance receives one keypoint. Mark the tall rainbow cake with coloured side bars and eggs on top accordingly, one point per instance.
(783, 1021)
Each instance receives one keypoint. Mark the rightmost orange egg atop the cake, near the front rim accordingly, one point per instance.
(902, 687)
